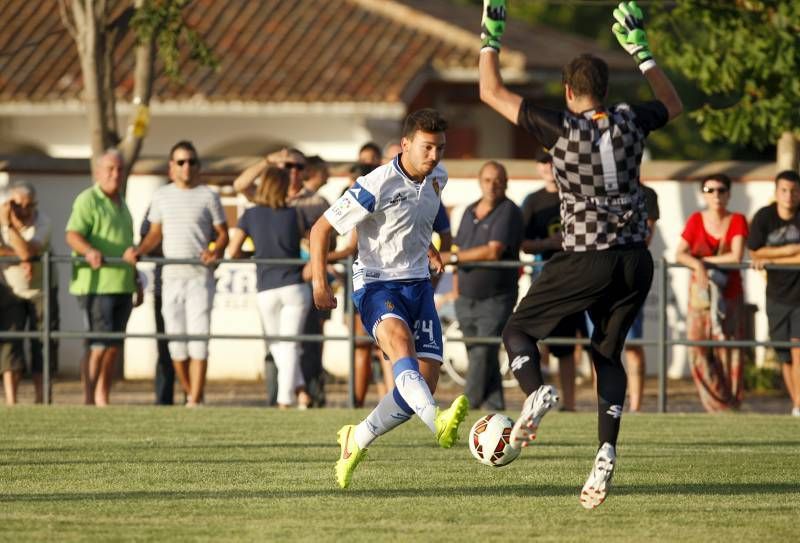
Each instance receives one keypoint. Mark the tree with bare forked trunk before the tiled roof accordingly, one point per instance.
(97, 28)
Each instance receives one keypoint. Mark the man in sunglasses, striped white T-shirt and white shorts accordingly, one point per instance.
(184, 215)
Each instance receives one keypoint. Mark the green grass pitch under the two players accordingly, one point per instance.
(247, 474)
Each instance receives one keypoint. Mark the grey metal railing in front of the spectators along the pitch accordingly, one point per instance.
(663, 342)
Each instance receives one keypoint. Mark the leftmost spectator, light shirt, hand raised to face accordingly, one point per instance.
(26, 278)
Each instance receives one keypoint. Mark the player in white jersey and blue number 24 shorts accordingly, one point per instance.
(393, 209)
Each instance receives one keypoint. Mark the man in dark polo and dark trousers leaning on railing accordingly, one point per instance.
(490, 230)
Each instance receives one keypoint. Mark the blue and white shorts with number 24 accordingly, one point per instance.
(409, 301)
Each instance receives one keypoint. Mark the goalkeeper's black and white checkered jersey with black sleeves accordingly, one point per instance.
(596, 158)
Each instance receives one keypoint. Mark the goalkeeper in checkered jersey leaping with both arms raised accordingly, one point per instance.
(605, 266)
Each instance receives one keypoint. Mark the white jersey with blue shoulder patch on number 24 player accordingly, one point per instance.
(393, 216)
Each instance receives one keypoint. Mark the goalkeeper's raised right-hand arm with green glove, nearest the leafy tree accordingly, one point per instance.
(630, 33)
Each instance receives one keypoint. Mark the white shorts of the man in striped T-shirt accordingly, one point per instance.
(186, 307)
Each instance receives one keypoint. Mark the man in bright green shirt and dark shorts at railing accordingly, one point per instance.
(101, 226)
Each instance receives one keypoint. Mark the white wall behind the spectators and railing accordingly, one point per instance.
(234, 307)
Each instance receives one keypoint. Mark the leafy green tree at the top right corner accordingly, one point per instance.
(744, 55)
